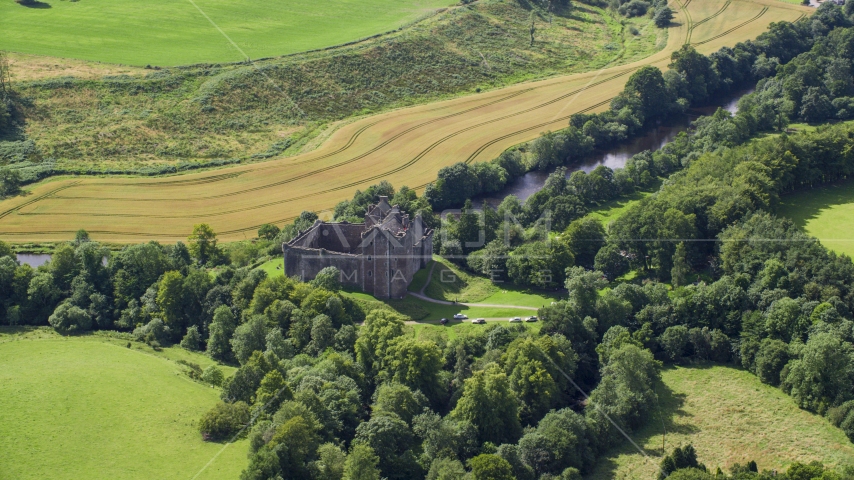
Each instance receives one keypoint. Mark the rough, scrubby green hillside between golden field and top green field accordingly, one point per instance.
(198, 114)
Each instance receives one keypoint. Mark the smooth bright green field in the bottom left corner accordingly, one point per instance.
(89, 407)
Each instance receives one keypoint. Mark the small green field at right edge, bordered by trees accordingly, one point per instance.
(826, 213)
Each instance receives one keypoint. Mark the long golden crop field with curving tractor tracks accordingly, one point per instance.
(405, 147)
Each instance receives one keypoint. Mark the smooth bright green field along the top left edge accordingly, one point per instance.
(168, 32)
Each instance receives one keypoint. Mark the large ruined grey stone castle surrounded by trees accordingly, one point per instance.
(379, 256)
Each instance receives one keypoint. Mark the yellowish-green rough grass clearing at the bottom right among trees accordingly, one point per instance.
(730, 417)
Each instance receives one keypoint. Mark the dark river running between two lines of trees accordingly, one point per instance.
(616, 157)
